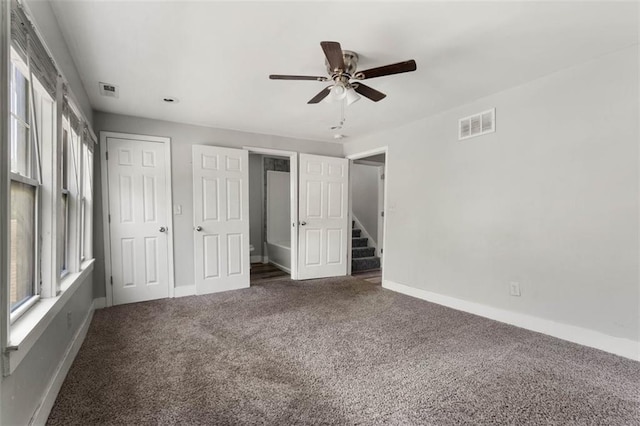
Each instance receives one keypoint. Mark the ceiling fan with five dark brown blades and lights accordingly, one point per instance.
(342, 66)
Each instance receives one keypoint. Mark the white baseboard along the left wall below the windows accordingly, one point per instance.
(44, 409)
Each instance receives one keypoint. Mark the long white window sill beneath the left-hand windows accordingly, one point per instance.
(27, 329)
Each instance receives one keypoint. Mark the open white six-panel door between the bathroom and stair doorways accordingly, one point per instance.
(323, 216)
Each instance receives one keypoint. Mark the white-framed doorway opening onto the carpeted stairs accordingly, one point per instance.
(368, 177)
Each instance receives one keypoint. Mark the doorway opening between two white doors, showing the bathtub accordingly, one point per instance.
(272, 214)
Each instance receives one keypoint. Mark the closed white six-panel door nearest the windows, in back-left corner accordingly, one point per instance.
(138, 219)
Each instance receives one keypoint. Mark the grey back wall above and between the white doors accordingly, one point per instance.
(183, 136)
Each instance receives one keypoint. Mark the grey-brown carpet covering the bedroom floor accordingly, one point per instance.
(333, 351)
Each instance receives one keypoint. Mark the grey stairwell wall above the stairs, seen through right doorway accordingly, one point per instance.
(364, 198)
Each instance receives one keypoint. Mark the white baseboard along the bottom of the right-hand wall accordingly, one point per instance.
(624, 347)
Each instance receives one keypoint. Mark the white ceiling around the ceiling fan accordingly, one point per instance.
(215, 57)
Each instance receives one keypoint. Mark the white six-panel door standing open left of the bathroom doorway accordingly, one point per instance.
(221, 218)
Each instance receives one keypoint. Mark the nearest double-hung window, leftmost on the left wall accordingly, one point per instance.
(24, 192)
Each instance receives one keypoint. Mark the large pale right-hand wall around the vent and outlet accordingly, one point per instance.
(550, 200)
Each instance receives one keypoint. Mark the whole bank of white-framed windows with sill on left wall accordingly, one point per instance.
(48, 215)
